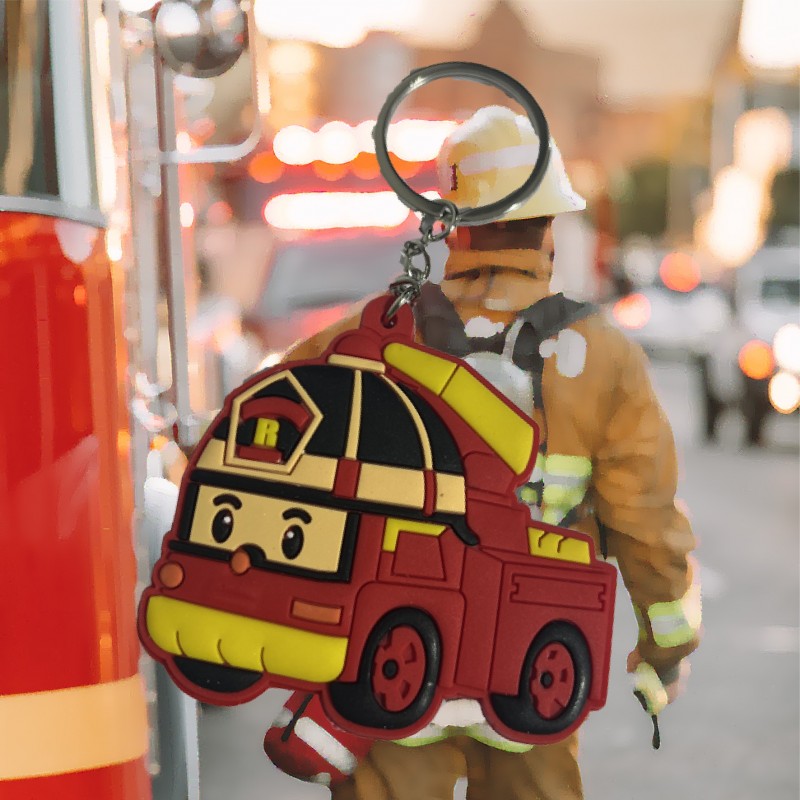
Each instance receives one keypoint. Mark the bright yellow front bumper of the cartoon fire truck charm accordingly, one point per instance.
(219, 637)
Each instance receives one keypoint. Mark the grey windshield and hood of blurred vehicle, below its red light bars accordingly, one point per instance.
(313, 282)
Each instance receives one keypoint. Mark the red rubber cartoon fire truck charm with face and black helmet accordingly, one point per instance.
(349, 526)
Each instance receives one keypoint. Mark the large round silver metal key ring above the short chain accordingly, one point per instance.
(463, 70)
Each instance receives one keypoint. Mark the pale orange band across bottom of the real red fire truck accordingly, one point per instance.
(71, 730)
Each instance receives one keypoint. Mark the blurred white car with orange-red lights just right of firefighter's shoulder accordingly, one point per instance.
(668, 308)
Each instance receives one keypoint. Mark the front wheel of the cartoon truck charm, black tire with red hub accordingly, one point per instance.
(407, 643)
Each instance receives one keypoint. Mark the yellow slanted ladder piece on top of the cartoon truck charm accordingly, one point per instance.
(491, 417)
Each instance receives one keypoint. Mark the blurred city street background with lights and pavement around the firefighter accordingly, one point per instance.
(678, 120)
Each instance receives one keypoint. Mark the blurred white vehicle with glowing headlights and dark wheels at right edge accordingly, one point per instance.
(754, 364)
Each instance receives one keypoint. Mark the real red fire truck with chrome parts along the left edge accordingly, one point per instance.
(87, 153)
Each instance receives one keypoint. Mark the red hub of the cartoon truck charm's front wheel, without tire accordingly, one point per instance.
(398, 669)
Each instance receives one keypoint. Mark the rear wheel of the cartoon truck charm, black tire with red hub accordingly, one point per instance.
(541, 707)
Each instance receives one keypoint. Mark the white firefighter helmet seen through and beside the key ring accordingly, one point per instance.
(491, 154)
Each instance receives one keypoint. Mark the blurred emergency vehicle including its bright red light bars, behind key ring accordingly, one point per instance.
(337, 228)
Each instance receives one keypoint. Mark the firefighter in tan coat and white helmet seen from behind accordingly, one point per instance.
(607, 462)
